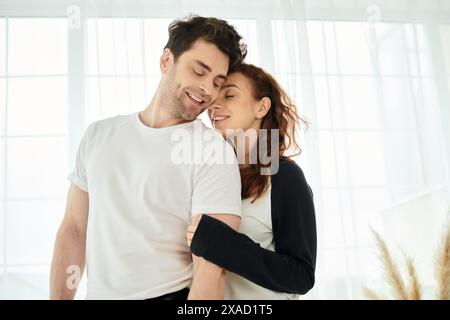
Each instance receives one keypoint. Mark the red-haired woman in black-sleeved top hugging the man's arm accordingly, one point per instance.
(274, 253)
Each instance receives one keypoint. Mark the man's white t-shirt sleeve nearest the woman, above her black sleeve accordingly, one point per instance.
(217, 186)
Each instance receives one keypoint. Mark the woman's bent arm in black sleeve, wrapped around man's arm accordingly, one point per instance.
(291, 267)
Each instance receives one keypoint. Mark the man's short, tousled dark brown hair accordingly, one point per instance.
(183, 33)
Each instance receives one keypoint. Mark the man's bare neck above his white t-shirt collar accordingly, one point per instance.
(157, 114)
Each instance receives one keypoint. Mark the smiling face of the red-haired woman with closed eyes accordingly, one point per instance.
(235, 108)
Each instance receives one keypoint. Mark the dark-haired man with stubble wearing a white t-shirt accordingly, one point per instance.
(129, 203)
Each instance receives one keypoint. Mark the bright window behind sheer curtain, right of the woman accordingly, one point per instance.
(371, 88)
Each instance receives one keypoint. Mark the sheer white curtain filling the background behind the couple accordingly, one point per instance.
(372, 77)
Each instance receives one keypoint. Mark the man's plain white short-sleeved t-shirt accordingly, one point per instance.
(142, 194)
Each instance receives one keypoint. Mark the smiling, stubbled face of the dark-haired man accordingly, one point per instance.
(192, 83)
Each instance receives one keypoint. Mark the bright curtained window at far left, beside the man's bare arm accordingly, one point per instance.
(33, 142)
